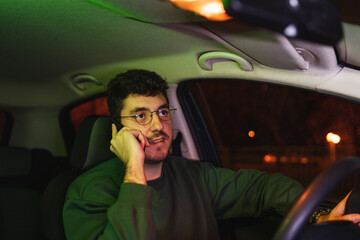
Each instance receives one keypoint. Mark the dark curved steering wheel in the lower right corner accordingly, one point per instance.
(298, 216)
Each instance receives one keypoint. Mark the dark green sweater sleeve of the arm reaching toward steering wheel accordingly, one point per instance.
(249, 193)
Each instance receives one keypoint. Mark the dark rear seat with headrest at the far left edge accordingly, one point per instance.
(24, 173)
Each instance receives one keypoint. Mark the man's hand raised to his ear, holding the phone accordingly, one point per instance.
(129, 146)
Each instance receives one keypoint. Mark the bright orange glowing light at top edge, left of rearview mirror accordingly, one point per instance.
(211, 9)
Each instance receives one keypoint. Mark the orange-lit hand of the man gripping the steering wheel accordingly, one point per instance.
(338, 214)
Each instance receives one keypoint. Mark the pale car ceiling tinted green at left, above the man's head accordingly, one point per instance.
(45, 44)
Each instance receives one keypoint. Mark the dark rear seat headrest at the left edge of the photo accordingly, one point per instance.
(15, 161)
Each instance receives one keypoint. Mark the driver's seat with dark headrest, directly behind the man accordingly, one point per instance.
(91, 147)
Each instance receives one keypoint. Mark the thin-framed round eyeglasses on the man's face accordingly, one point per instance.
(144, 117)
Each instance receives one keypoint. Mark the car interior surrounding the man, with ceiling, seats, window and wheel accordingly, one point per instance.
(264, 85)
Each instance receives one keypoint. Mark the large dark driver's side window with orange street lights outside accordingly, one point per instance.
(275, 128)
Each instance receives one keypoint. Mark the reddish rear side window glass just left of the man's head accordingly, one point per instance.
(97, 106)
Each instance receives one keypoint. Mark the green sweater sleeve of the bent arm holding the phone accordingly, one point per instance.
(99, 209)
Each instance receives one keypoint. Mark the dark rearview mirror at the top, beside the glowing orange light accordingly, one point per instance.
(313, 20)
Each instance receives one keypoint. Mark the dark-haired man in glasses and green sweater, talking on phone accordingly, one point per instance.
(144, 194)
